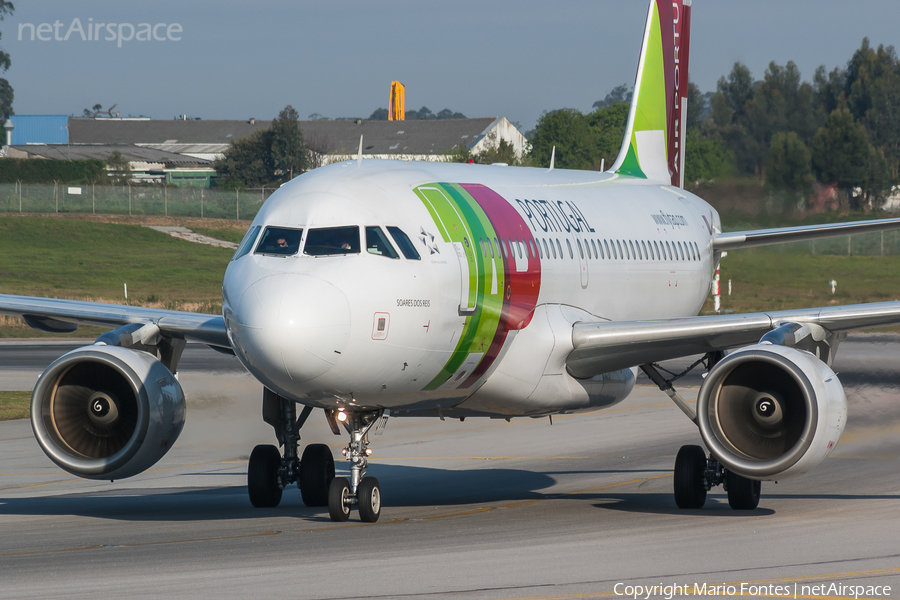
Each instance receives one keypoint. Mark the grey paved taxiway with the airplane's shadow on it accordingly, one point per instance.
(474, 509)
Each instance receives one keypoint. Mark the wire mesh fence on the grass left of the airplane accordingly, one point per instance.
(132, 200)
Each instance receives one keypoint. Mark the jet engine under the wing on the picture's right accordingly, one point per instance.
(771, 412)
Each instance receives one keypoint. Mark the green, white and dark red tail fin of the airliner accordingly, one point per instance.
(653, 147)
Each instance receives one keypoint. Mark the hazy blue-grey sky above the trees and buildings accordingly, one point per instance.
(224, 59)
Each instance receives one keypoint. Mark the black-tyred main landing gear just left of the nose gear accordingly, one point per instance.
(269, 472)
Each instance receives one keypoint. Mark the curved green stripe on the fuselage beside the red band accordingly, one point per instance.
(459, 218)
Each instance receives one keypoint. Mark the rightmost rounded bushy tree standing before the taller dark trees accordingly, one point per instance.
(840, 151)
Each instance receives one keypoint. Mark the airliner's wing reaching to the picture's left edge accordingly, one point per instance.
(61, 316)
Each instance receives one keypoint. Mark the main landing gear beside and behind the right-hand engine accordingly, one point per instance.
(695, 473)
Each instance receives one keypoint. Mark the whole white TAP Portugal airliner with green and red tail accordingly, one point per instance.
(373, 289)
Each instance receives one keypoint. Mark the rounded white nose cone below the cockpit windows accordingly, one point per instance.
(291, 327)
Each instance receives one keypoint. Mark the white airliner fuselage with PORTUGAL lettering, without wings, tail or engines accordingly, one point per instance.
(508, 259)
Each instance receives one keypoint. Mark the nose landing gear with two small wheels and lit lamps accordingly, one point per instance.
(362, 492)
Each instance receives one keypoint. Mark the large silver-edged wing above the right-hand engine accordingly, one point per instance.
(602, 347)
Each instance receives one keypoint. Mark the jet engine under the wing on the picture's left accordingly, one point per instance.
(106, 412)
